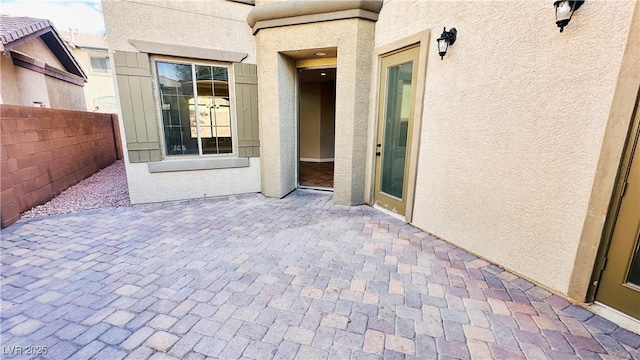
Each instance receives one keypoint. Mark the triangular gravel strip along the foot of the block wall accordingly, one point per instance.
(106, 188)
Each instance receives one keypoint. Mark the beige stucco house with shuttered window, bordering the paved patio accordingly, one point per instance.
(509, 146)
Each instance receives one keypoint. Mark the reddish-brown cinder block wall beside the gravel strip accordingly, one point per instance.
(45, 151)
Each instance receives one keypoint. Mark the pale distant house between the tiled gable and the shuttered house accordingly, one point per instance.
(93, 55)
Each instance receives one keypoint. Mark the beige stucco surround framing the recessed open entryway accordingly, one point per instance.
(353, 39)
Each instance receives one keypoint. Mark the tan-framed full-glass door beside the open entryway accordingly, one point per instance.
(398, 75)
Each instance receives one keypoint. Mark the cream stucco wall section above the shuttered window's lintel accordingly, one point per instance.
(216, 24)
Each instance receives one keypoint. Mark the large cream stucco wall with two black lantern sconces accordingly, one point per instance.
(513, 124)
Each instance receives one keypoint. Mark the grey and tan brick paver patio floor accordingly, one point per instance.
(261, 278)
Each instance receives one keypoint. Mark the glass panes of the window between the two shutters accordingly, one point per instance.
(196, 115)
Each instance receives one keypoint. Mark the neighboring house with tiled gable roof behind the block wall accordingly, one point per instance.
(37, 68)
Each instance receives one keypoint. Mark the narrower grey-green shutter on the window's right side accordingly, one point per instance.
(246, 83)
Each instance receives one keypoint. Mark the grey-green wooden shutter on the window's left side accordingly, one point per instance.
(139, 115)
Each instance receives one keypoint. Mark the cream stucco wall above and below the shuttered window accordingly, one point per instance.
(215, 24)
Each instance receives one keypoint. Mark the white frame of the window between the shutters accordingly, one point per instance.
(232, 106)
